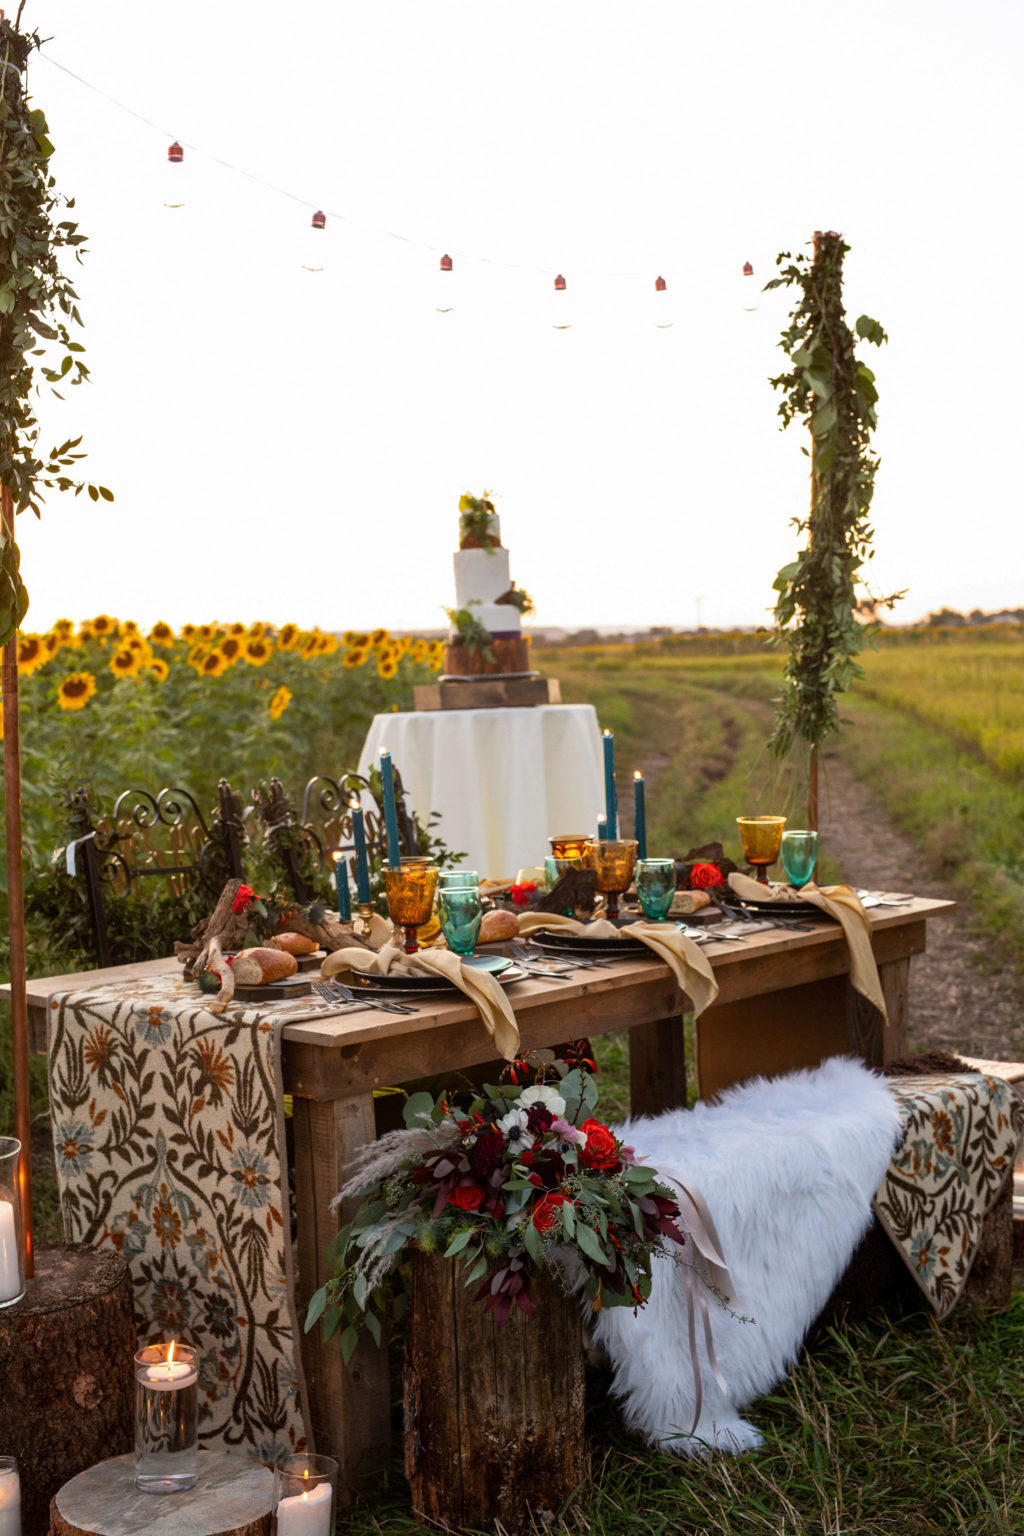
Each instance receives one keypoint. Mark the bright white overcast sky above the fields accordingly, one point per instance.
(288, 419)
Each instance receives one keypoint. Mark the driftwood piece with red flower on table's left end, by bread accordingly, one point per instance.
(240, 915)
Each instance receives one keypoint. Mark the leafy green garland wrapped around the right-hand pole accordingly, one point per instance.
(834, 396)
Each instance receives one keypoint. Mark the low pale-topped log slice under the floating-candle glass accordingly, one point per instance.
(233, 1498)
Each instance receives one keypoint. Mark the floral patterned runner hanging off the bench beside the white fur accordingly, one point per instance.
(962, 1137)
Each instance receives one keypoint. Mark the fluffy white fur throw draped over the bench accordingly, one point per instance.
(788, 1170)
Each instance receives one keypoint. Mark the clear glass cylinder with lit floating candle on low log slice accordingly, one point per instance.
(167, 1418)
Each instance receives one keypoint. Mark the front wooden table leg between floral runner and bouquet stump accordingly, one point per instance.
(349, 1405)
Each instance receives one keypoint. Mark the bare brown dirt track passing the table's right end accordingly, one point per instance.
(962, 996)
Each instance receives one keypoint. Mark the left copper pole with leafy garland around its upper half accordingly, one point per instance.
(38, 308)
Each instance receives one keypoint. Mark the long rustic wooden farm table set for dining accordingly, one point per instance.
(784, 1002)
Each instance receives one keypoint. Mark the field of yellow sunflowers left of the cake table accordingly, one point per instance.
(111, 706)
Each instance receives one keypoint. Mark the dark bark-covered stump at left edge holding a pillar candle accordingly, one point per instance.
(67, 1371)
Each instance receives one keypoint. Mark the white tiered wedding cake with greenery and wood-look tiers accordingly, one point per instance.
(487, 621)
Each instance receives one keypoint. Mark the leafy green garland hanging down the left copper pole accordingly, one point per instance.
(38, 311)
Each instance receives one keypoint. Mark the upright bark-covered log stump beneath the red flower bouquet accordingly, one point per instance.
(494, 1418)
